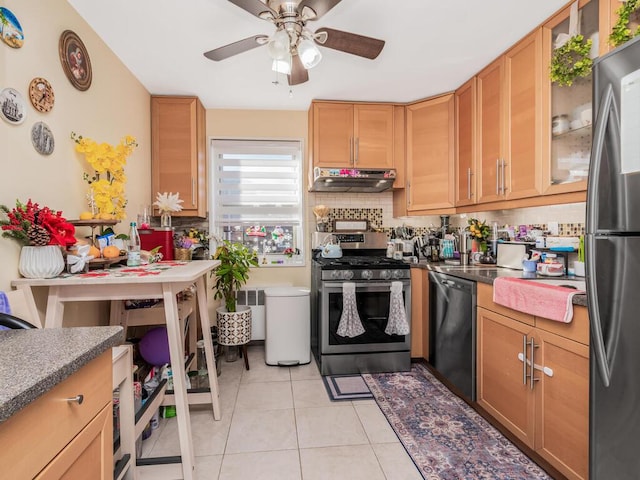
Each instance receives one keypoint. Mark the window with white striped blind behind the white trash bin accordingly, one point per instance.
(257, 197)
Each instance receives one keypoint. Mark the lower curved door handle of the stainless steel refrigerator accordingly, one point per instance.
(597, 339)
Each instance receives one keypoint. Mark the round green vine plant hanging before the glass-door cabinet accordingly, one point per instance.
(571, 61)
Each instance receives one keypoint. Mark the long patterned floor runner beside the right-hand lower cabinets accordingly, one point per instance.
(444, 436)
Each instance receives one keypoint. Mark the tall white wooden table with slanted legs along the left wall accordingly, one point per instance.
(164, 281)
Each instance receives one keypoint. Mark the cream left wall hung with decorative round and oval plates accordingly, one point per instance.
(115, 105)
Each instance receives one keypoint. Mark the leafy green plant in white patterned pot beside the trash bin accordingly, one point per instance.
(234, 325)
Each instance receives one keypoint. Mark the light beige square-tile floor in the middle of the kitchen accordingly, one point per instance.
(278, 423)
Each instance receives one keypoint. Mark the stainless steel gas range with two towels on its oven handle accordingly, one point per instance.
(377, 282)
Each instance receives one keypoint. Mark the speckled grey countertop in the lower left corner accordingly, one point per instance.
(35, 361)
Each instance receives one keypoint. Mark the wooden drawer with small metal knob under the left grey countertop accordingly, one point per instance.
(35, 435)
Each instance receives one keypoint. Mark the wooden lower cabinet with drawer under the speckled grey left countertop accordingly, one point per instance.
(53, 438)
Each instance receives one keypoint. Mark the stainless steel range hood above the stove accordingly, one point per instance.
(353, 180)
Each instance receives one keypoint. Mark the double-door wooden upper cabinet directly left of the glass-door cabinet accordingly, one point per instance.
(509, 124)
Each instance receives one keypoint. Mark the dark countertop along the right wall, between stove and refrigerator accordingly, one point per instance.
(488, 273)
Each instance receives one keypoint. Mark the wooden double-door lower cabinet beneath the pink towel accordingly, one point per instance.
(550, 414)
